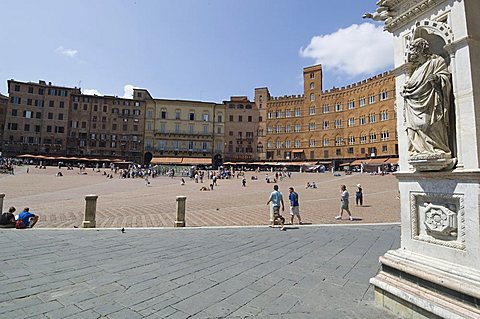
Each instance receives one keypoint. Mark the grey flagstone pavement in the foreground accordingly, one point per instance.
(248, 272)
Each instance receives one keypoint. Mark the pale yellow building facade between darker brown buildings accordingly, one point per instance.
(181, 128)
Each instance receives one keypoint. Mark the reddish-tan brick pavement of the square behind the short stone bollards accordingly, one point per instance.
(129, 203)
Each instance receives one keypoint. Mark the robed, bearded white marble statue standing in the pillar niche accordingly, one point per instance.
(427, 103)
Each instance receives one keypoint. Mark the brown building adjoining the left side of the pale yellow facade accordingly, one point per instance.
(106, 127)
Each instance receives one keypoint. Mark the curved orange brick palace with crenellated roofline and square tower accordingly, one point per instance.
(342, 124)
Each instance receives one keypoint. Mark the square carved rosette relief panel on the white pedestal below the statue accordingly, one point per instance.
(442, 217)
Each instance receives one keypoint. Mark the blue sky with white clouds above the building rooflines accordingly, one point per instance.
(204, 50)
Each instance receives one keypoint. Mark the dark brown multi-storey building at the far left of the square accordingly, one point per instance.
(36, 119)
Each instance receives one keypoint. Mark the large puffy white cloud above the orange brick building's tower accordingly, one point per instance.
(356, 50)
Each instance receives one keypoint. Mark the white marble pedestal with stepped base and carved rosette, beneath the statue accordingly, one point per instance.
(435, 273)
